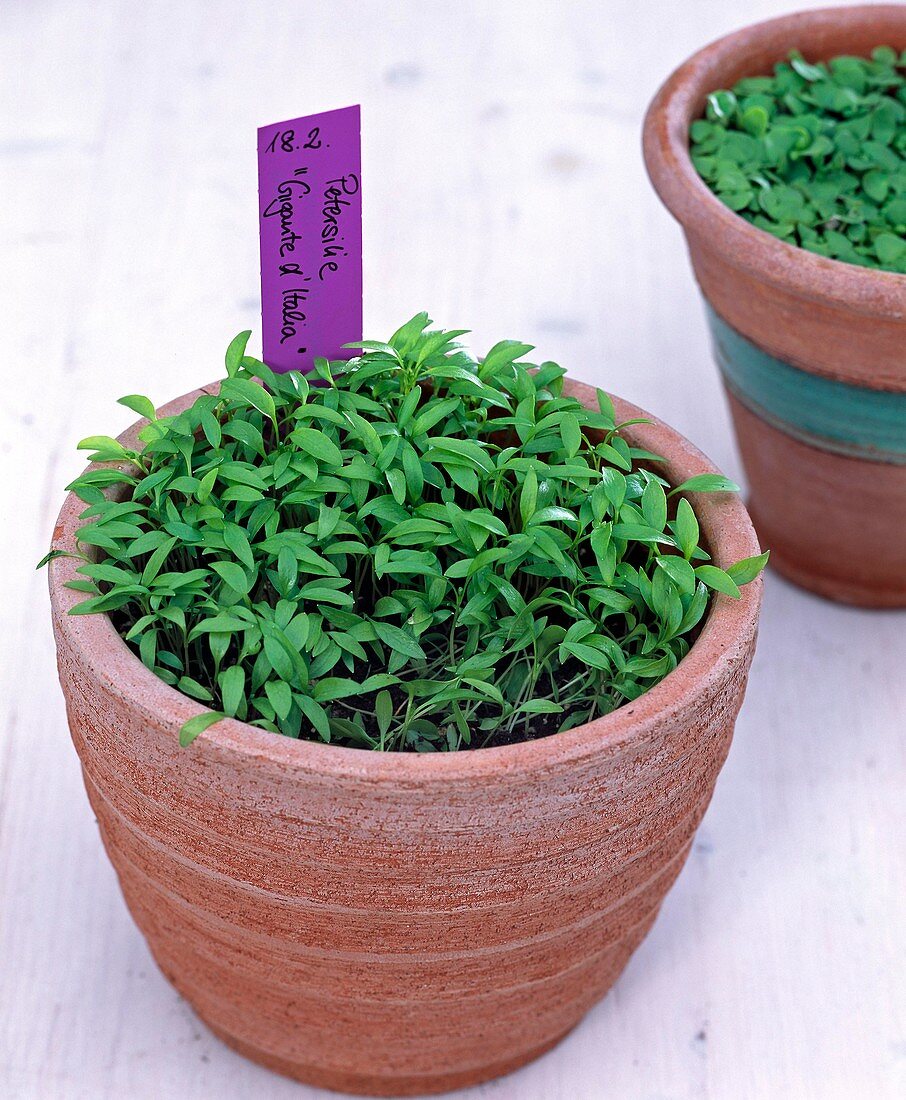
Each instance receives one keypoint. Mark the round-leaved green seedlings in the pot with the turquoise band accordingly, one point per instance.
(815, 155)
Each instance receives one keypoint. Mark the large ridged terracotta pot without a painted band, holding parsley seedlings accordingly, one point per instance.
(403, 923)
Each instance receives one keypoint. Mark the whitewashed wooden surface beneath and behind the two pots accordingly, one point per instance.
(504, 192)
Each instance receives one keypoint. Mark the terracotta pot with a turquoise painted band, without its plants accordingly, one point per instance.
(813, 351)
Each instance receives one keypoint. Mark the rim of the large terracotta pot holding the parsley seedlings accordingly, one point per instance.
(727, 635)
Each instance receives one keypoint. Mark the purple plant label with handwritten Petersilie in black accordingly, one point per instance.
(311, 214)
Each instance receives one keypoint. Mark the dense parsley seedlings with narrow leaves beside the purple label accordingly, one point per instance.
(410, 551)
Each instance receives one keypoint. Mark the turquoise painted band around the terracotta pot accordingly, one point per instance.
(853, 421)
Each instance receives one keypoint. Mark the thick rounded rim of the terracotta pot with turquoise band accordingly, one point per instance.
(701, 213)
